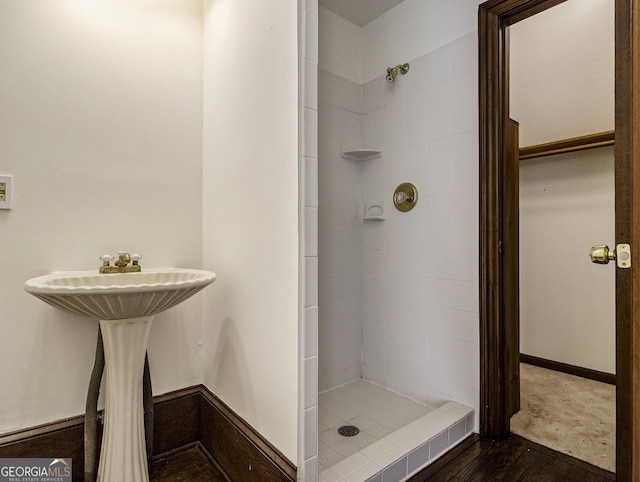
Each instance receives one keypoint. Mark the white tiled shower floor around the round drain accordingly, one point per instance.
(376, 411)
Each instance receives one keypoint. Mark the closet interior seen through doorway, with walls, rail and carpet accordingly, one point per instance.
(561, 73)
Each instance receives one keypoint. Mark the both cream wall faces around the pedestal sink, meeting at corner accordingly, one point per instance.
(101, 117)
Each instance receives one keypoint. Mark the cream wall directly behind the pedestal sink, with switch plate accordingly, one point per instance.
(100, 125)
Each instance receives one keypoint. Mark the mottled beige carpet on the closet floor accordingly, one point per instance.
(569, 414)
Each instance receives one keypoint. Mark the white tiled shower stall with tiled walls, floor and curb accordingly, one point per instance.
(397, 299)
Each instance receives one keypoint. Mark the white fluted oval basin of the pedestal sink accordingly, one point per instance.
(121, 295)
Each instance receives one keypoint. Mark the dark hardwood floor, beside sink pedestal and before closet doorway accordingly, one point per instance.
(475, 459)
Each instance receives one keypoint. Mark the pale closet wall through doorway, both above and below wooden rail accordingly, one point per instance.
(562, 86)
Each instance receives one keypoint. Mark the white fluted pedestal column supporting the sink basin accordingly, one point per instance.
(123, 456)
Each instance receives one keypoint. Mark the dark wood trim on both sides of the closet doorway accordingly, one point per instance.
(494, 16)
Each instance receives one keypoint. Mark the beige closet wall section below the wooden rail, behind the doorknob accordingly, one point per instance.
(567, 305)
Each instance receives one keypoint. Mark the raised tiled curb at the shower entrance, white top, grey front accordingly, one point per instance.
(409, 449)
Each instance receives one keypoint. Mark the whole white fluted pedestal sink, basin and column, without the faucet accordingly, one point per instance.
(125, 305)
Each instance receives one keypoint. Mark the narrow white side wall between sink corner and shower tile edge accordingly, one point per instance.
(250, 211)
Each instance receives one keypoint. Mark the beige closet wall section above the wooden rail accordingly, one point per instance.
(562, 72)
